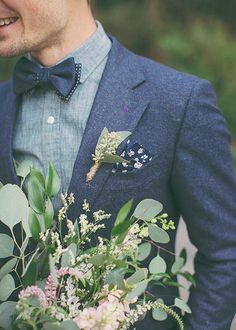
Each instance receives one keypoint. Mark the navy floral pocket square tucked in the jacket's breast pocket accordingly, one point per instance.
(137, 156)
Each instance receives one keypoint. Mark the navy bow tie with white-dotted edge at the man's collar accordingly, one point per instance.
(63, 77)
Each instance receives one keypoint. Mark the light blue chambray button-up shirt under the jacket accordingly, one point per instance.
(48, 129)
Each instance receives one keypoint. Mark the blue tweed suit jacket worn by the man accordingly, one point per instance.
(175, 117)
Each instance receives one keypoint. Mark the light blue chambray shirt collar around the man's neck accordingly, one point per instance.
(90, 54)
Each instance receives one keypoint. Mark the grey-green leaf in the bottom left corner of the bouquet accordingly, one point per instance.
(7, 313)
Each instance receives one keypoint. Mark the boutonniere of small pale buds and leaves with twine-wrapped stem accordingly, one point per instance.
(105, 151)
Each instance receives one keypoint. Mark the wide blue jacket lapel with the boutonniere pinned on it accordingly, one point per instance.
(119, 104)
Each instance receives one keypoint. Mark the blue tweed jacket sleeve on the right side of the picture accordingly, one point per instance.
(204, 187)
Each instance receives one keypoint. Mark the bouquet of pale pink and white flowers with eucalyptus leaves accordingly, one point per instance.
(60, 274)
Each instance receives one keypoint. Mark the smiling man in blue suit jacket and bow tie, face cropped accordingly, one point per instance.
(94, 82)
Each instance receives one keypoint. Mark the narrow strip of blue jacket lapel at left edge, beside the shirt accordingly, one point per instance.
(9, 103)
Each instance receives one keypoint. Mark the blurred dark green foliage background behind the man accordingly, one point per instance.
(196, 36)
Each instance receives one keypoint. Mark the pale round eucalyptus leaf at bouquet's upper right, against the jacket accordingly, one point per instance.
(147, 209)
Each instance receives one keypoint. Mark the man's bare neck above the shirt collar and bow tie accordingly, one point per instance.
(78, 31)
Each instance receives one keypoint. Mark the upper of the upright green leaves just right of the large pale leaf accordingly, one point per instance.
(36, 194)
